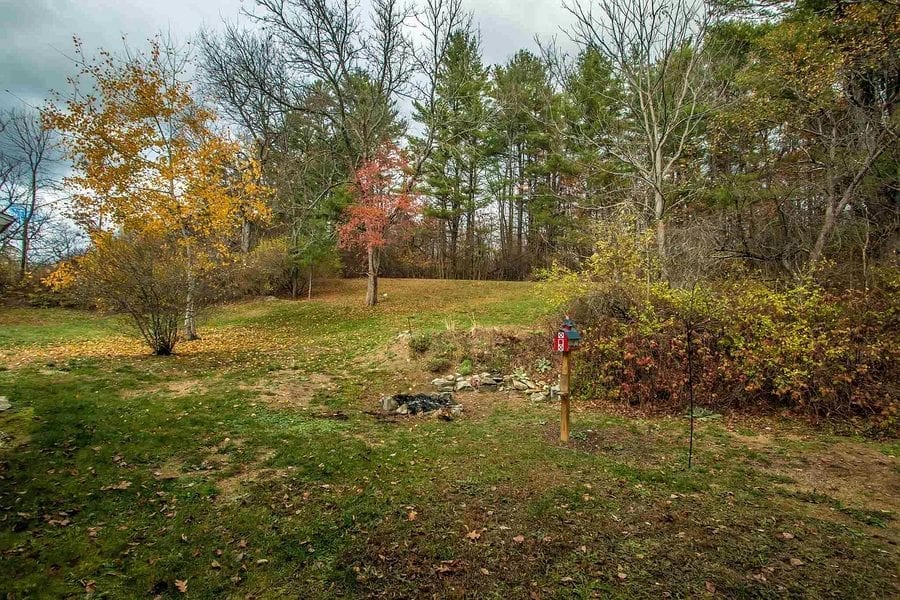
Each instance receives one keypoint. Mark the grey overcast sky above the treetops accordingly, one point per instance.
(36, 35)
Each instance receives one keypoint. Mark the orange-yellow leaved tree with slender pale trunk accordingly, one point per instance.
(149, 163)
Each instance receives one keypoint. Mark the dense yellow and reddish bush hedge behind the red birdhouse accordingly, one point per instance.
(801, 346)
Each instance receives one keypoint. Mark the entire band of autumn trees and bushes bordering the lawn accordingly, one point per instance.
(726, 171)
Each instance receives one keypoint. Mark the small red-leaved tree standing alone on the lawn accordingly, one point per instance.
(384, 205)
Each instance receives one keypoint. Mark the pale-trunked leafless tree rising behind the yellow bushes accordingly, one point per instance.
(656, 51)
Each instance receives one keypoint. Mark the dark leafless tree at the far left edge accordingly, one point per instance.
(29, 155)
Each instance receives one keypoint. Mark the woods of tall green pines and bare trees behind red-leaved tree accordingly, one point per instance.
(742, 133)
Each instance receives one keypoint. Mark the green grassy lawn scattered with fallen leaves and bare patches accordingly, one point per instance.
(252, 465)
